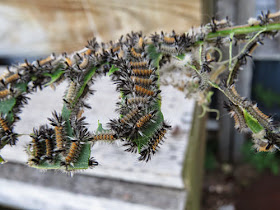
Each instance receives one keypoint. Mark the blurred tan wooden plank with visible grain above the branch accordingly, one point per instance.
(40, 27)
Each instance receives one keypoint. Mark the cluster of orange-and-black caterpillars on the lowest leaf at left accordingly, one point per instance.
(53, 146)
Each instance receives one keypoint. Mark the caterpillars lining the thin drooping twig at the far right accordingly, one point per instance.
(240, 108)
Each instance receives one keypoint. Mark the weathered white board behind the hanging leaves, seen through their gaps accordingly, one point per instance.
(164, 169)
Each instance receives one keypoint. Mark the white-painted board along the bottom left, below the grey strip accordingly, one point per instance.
(26, 196)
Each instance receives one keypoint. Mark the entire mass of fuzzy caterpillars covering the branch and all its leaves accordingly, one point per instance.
(133, 63)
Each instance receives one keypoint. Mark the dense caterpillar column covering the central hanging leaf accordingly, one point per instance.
(137, 79)
